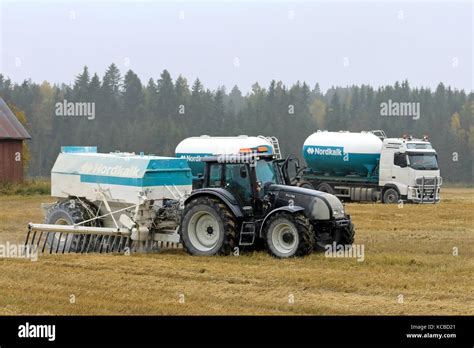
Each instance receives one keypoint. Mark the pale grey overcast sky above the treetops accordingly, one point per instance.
(241, 42)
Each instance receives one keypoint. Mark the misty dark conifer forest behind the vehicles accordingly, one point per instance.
(153, 116)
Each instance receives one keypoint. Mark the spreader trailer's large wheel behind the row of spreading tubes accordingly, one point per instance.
(65, 213)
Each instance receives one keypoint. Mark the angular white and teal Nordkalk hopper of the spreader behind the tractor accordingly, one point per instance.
(123, 177)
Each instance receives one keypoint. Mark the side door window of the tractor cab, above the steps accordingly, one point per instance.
(237, 181)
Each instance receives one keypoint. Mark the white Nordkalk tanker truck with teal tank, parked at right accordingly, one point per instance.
(368, 166)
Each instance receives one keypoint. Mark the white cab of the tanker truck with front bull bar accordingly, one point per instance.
(409, 170)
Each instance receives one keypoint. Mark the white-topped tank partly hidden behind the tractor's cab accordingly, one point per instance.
(193, 149)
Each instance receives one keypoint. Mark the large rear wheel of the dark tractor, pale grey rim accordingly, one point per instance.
(208, 228)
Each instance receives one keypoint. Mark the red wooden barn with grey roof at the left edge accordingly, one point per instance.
(12, 135)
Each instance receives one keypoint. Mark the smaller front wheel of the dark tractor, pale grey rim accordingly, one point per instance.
(288, 235)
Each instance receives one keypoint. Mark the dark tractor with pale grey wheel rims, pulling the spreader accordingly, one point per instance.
(245, 200)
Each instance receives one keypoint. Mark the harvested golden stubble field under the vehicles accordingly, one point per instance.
(408, 268)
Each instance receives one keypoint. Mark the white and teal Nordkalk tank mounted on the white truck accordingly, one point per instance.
(342, 153)
